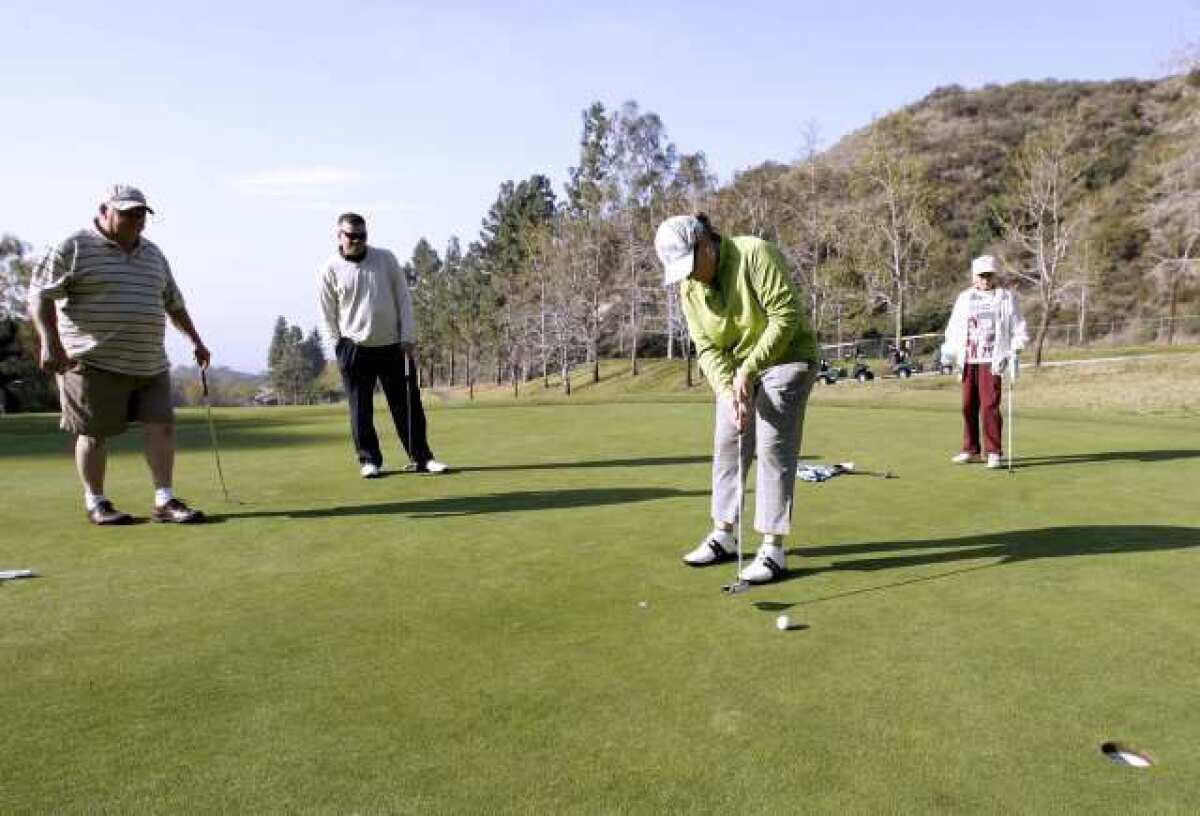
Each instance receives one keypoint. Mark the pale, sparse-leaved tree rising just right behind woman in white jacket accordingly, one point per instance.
(1040, 225)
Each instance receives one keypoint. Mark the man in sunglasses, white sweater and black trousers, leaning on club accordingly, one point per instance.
(368, 314)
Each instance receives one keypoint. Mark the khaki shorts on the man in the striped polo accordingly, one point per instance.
(103, 404)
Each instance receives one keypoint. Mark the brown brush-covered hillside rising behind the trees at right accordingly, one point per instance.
(1132, 135)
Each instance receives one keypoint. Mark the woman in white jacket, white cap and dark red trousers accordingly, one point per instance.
(983, 338)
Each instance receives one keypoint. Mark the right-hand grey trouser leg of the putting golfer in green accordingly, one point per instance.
(781, 404)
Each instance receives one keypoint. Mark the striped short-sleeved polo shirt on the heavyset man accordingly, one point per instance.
(112, 305)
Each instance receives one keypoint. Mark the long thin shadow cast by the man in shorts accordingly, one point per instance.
(487, 503)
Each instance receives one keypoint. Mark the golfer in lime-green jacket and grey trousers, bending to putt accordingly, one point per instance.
(760, 357)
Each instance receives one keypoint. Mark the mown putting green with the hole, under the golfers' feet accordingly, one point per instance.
(963, 641)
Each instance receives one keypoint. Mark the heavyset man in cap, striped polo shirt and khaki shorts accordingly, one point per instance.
(100, 303)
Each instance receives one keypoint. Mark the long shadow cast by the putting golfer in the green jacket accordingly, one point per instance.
(1003, 548)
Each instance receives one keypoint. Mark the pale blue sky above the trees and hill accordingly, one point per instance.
(250, 127)
